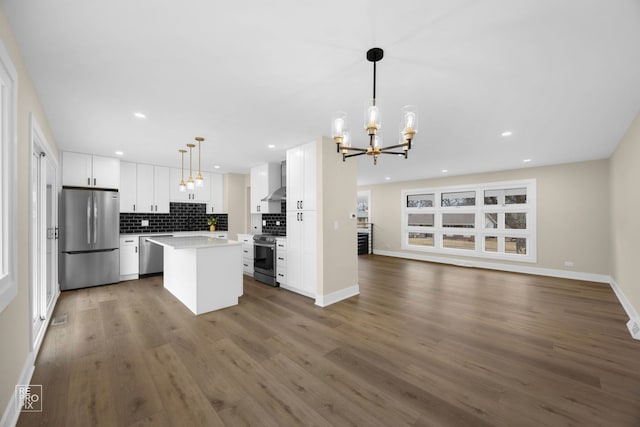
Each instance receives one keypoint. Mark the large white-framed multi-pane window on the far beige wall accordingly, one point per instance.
(493, 220)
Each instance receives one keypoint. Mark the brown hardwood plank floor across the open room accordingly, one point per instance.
(423, 345)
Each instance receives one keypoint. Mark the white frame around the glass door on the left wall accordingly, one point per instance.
(39, 144)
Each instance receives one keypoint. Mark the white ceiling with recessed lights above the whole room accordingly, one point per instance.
(562, 75)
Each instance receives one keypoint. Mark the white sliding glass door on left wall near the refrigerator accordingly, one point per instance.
(43, 248)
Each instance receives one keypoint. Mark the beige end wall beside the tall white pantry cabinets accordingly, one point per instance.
(337, 199)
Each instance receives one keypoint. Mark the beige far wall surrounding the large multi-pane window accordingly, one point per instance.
(572, 213)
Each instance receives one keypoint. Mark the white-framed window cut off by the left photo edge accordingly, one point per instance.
(8, 159)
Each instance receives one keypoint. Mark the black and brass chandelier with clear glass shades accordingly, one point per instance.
(408, 125)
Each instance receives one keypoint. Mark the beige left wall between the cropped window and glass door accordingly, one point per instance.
(14, 320)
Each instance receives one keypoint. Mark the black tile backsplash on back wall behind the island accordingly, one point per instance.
(181, 217)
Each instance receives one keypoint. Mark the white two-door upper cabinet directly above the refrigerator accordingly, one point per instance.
(85, 170)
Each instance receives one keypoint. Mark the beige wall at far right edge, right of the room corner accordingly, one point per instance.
(625, 214)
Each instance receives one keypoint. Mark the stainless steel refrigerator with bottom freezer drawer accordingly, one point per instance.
(89, 238)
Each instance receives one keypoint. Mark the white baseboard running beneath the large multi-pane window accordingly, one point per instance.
(577, 275)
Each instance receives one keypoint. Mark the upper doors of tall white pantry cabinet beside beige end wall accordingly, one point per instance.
(301, 177)
